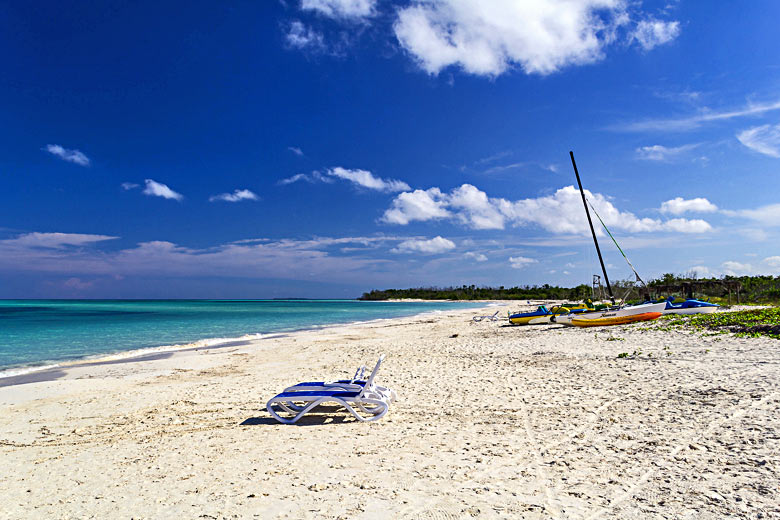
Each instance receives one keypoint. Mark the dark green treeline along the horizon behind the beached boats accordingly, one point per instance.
(759, 289)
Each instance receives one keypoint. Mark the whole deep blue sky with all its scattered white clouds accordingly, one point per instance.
(324, 148)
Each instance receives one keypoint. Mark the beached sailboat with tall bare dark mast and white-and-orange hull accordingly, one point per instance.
(619, 314)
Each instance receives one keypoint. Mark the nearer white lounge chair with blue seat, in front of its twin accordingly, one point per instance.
(368, 400)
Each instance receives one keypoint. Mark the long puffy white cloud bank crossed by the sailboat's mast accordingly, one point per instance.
(560, 212)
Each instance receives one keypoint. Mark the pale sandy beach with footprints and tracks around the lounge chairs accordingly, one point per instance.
(492, 421)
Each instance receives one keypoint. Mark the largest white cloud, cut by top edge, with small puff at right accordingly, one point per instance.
(487, 38)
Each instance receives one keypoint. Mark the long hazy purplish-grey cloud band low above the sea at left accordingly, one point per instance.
(317, 258)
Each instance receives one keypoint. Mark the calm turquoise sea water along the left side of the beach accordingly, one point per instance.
(42, 332)
